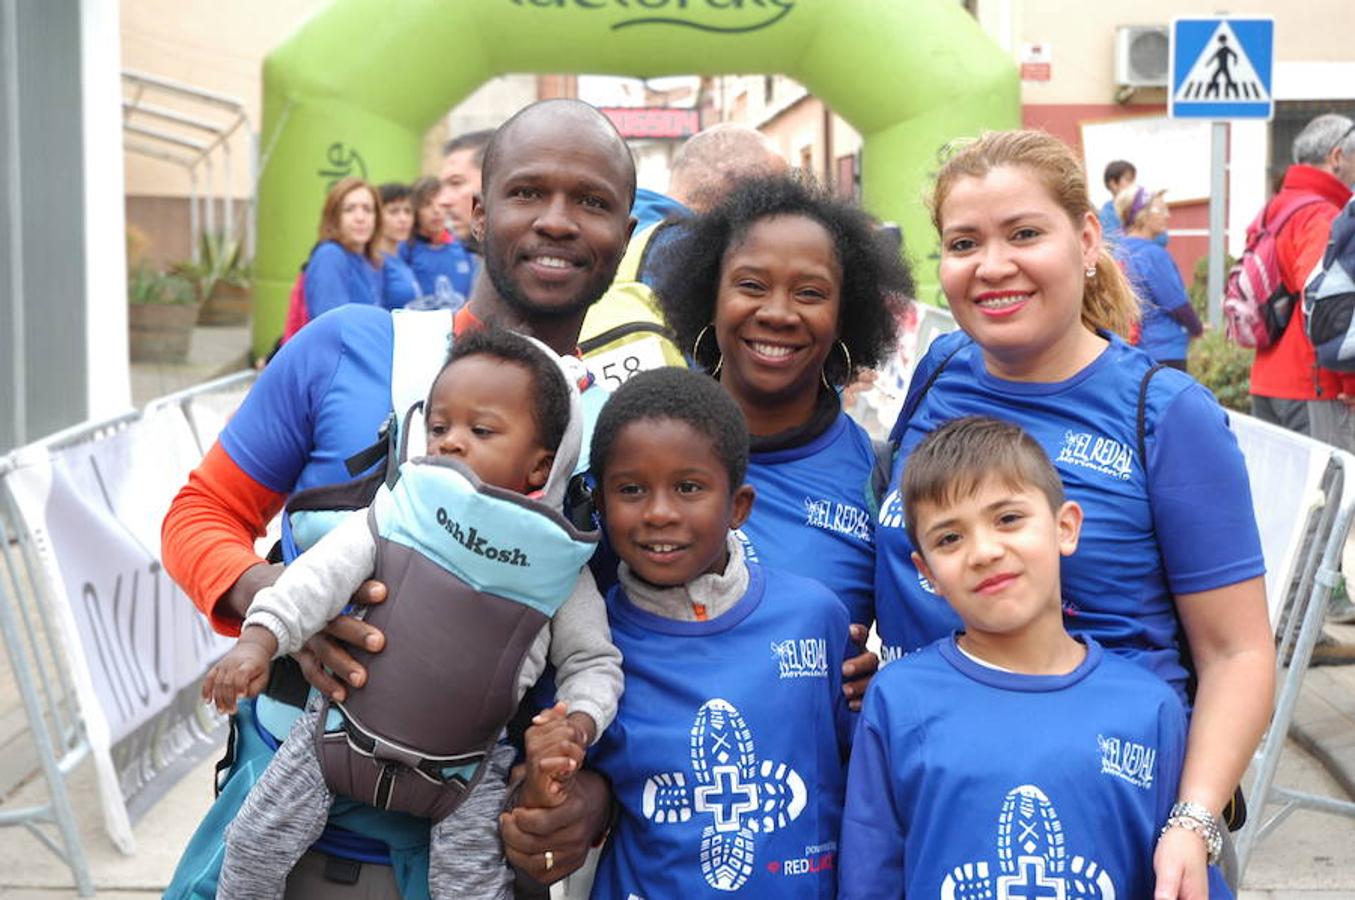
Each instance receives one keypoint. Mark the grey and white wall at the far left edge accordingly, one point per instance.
(63, 316)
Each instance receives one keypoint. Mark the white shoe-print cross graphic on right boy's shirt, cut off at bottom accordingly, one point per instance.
(1033, 859)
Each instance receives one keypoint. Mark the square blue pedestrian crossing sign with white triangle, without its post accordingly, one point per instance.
(1222, 68)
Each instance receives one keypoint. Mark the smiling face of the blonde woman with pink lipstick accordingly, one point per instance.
(1013, 266)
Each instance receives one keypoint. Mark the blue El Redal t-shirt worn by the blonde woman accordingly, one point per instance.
(1180, 527)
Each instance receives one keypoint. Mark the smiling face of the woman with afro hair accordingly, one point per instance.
(777, 314)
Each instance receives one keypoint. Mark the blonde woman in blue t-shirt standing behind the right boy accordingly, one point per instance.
(1170, 558)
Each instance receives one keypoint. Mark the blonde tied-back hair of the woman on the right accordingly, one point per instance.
(1109, 303)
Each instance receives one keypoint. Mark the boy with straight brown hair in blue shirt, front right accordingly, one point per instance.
(1013, 760)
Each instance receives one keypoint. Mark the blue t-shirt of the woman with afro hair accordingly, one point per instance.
(812, 517)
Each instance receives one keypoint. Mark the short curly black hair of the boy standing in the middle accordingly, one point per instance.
(681, 395)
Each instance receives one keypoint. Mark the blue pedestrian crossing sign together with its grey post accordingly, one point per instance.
(1222, 70)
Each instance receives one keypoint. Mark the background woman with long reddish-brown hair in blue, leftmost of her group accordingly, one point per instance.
(345, 268)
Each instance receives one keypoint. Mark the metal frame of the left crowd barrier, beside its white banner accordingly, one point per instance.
(33, 643)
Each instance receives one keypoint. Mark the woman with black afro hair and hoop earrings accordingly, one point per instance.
(784, 295)
